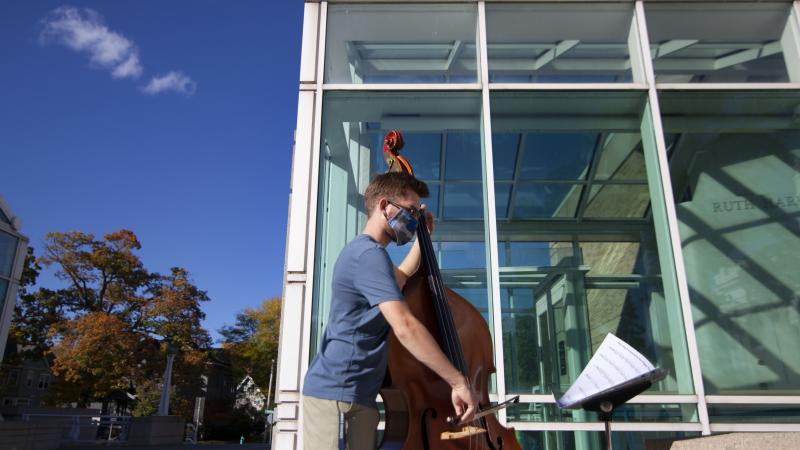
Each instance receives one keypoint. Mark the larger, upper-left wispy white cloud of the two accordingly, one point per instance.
(85, 32)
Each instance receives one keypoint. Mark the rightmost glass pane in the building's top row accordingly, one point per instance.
(722, 42)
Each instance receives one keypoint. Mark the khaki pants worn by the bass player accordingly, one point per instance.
(321, 424)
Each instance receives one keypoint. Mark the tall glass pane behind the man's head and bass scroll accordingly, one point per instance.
(442, 143)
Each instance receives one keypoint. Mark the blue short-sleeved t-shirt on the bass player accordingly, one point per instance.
(351, 361)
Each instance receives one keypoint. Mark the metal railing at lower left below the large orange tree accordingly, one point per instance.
(87, 428)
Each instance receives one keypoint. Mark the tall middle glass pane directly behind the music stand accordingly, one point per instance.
(579, 255)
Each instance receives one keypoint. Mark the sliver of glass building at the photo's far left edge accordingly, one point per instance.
(13, 247)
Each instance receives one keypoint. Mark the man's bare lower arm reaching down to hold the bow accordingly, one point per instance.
(419, 342)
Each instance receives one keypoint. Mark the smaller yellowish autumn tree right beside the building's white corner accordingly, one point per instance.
(252, 342)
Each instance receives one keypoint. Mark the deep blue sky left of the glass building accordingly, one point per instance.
(173, 119)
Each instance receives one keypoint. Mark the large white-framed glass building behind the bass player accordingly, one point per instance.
(626, 167)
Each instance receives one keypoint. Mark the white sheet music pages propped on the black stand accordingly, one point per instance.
(614, 363)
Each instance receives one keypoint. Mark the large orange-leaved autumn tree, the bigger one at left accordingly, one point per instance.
(106, 328)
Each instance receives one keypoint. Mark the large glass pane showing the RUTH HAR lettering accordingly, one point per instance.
(735, 166)
